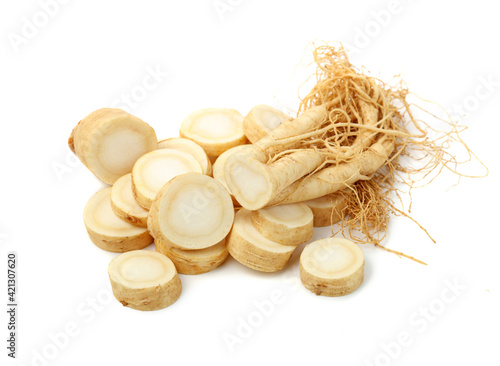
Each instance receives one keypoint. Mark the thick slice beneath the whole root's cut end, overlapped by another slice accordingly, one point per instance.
(254, 251)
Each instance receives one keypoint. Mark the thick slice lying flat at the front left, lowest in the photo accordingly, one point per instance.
(148, 295)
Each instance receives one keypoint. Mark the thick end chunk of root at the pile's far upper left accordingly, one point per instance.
(109, 141)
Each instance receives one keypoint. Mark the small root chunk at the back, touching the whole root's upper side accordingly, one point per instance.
(261, 120)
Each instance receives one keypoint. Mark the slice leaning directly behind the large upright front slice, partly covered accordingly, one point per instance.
(155, 169)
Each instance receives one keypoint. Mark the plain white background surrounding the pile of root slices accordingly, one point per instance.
(89, 53)
